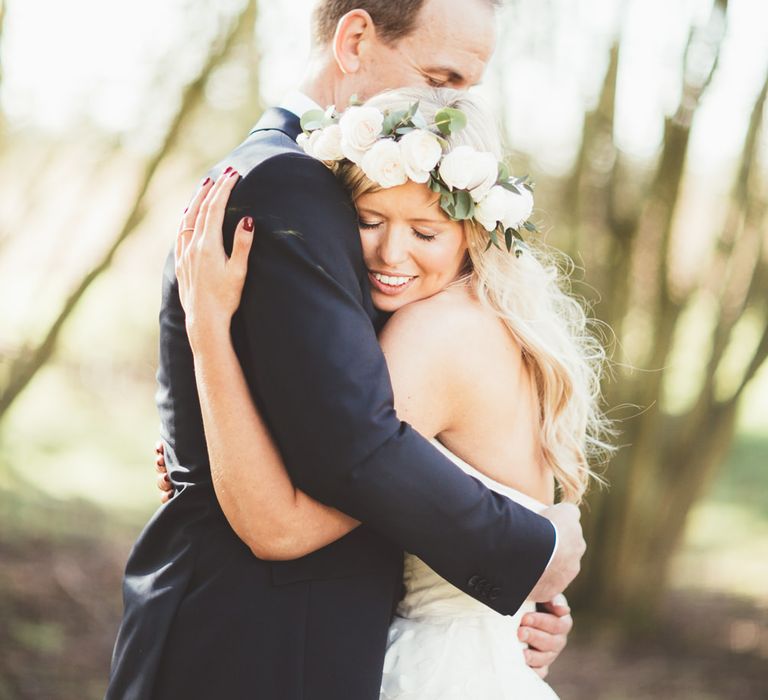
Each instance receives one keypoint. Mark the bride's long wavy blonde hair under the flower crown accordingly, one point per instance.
(531, 294)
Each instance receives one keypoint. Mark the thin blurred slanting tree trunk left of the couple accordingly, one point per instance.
(31, 359)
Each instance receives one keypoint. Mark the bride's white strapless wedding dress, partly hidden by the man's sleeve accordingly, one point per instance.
(445, 645)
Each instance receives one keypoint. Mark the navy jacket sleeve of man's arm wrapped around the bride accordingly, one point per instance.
(314, 365)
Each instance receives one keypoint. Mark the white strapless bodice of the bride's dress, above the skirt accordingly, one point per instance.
(427, 594)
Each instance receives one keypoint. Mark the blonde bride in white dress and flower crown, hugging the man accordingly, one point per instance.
(488, 354)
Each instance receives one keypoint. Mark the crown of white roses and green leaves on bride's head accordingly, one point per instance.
(393, 146)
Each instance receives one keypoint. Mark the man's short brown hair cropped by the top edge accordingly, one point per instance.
(394, 19)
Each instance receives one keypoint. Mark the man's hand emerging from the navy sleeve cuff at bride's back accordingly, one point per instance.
(566, 562)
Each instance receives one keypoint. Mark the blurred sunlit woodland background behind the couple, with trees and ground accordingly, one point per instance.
(644, 125)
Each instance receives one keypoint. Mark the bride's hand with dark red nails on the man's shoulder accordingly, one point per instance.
(210, 283)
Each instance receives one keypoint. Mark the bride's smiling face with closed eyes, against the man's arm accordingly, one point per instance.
(411, 248)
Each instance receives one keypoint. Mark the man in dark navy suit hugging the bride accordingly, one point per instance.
(204, 618)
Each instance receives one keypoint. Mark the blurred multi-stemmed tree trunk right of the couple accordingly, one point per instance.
(669, 459)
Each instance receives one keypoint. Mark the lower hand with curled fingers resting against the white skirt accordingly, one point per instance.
(546, 633)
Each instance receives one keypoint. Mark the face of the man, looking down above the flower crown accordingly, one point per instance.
(449, 47)
